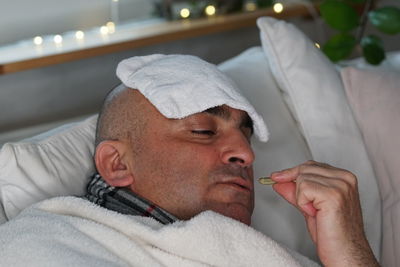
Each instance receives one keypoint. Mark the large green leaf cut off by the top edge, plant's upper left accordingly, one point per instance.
(339, 15)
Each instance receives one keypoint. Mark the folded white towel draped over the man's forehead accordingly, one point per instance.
(182, 85)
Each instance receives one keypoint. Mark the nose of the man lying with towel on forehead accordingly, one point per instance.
(236, 149)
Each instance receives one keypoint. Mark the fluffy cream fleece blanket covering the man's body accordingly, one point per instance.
(70, 231)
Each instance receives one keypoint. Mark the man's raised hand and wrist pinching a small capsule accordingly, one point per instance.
(328, 198)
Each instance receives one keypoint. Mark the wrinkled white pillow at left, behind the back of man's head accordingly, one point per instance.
(56, 163)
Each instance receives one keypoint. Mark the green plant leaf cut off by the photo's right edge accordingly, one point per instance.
(386, 19)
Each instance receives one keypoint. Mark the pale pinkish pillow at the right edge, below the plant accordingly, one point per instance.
(374, 96)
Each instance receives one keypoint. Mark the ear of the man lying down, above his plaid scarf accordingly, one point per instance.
(111, 162)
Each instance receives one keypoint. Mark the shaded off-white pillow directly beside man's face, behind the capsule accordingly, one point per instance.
(285, 148)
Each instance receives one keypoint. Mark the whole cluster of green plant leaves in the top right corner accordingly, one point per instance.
(342, 16)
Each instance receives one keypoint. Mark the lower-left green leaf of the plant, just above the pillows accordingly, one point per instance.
(339, 46)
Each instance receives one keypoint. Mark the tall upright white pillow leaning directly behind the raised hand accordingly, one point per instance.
(320, 105)
